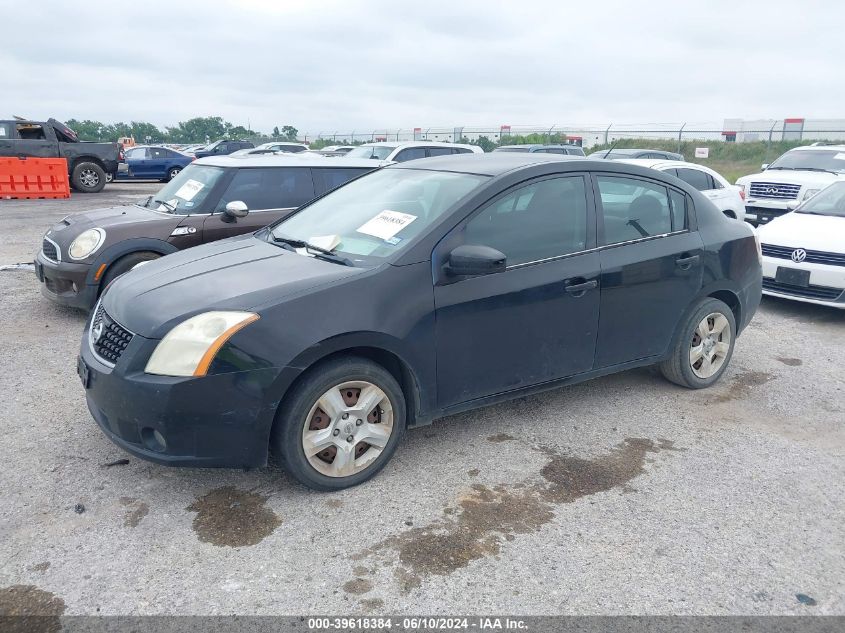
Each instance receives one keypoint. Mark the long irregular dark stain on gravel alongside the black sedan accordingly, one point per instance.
(483, 518)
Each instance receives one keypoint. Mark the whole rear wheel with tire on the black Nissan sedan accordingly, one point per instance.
(713, 356)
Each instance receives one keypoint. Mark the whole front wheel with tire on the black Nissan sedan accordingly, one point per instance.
(339, 457)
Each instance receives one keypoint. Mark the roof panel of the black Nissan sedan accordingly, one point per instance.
(492, 164)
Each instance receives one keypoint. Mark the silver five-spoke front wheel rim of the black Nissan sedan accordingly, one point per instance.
(347, 428)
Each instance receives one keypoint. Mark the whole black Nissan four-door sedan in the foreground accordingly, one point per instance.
(416, 291)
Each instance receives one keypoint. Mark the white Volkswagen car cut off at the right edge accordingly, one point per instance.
(804, 251)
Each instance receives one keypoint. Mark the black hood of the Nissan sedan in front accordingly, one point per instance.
(240, 273)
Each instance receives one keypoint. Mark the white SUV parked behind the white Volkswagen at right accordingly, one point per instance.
(793, 178)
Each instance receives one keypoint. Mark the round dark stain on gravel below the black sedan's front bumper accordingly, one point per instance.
(228, 517)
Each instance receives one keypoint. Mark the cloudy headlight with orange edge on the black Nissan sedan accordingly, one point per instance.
(189, 348)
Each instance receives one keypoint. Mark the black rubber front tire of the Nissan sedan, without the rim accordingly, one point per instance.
(286, 441)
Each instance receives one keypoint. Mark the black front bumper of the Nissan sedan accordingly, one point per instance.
(222, 420)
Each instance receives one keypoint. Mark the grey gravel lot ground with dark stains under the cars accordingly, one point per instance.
(622, 495)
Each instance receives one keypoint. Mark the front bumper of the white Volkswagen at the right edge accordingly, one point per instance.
(826, 283)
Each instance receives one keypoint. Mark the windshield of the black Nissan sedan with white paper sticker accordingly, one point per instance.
(378, 214)
